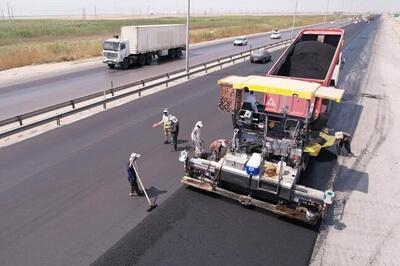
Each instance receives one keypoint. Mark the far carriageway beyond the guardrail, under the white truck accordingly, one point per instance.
(26, 96)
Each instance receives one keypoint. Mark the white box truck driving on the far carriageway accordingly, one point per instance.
(139, 45)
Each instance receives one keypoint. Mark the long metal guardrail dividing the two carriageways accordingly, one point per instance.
(165, 79)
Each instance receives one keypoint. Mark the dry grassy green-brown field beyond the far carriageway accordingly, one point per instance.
(27, 42)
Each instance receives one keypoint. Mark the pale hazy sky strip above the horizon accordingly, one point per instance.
(145, 7)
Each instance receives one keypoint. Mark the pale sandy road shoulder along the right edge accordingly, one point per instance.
(362, 227)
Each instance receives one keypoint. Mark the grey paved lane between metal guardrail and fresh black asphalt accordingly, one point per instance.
(63, 194)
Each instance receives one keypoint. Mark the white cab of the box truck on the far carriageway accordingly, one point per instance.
(115, 51)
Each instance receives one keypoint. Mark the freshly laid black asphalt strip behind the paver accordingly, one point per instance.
(193, 228)
